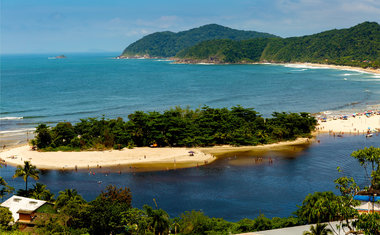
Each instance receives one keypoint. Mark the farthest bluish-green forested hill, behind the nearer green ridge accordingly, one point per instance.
(168, 44)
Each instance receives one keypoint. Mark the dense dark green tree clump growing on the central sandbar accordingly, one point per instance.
(177, 127)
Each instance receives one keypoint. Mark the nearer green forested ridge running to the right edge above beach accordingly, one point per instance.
(355, 46)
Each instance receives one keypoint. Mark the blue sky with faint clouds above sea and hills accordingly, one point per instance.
(59, 26)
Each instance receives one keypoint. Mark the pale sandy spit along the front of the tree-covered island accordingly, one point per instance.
(173, 157)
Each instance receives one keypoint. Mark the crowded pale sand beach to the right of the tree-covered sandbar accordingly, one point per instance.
(353, 125)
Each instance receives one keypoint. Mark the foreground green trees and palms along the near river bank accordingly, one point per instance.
(112, 212)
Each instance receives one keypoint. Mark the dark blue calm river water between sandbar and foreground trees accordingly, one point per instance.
(230, 188)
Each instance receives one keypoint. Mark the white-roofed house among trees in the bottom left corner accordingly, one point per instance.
(23, 209)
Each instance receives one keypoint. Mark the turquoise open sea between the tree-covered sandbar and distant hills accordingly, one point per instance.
(36, 89)
